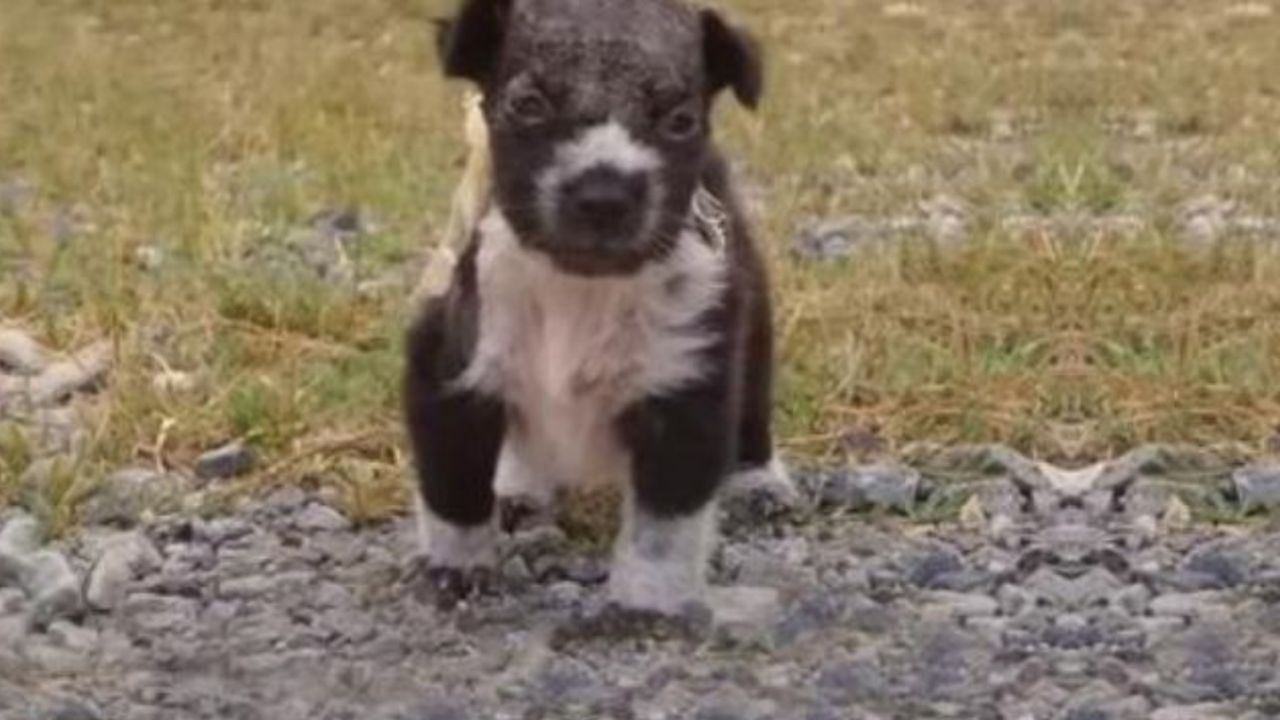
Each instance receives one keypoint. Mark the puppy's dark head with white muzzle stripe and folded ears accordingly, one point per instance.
(598, 115)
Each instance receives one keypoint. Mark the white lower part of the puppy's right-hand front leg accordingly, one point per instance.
(660, 564)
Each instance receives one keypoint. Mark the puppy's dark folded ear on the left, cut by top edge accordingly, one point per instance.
(469, 44)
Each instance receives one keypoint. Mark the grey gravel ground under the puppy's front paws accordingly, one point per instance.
(1089, 595)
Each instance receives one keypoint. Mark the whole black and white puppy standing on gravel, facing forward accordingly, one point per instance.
(610, 317)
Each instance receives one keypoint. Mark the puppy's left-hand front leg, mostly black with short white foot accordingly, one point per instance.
(456, 435)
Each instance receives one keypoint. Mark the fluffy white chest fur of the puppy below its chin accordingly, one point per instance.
(570, 353)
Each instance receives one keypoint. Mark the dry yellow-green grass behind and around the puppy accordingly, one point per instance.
(213, 133)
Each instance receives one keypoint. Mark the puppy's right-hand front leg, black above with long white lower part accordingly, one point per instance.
(682, 449)
